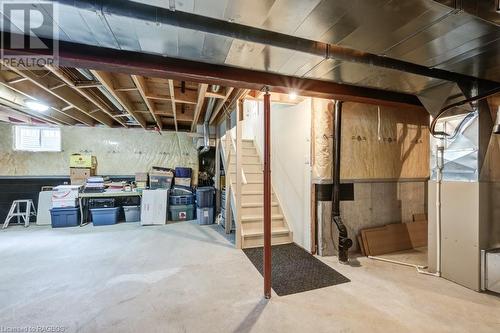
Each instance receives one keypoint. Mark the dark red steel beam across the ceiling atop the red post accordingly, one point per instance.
(136, 63)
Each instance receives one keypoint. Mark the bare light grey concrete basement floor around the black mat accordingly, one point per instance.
(187, 278)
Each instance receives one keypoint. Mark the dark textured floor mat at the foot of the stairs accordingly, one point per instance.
(294, 270)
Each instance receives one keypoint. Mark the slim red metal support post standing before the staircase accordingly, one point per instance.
(267, 195)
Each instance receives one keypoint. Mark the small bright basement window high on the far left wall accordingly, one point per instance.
(37, 139)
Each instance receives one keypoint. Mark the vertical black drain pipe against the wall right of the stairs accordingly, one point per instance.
(344, 241)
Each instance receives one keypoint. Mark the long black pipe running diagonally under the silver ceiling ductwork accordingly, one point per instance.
(148, 13)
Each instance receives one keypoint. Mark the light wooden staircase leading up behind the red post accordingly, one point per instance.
(251, 220)
